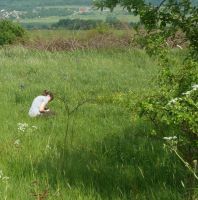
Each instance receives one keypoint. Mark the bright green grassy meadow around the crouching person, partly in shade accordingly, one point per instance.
(99, 151)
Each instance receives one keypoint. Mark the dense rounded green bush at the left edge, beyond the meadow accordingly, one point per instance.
(10, 32)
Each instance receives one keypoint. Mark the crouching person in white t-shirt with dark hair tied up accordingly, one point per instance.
(39, 105)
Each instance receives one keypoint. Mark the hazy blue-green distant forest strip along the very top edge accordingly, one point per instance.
(27, 4)
